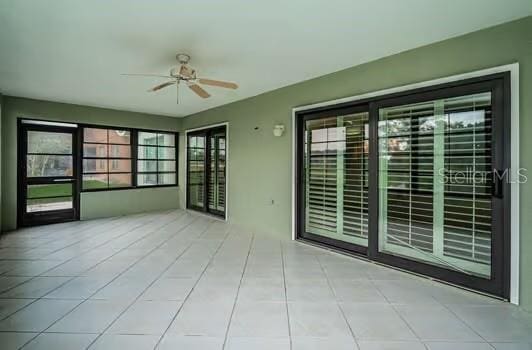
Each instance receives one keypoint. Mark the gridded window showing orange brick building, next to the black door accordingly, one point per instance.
(106, 159)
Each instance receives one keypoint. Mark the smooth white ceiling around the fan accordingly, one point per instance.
(74, 50)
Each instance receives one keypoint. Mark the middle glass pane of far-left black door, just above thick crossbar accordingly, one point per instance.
(45, 165)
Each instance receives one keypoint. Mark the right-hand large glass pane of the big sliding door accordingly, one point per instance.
(435, 182)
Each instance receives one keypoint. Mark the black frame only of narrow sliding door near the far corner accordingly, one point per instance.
(206, 133)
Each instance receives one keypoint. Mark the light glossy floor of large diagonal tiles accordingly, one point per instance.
(177, 280)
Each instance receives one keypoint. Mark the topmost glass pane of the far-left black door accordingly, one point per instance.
(49, 142)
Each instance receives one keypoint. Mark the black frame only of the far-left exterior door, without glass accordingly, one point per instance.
(51, 216)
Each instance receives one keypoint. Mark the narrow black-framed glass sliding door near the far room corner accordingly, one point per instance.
(206, 171)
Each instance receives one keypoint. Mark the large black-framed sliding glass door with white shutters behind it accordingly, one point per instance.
(416, 180)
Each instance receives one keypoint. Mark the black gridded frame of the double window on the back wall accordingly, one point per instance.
(133, 157)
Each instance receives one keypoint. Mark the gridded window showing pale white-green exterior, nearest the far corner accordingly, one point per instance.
(156, 159)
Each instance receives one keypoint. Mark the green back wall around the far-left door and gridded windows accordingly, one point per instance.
(96, 204)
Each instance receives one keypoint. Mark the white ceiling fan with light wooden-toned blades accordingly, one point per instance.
(186, 74)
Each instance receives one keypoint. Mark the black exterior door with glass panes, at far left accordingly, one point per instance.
(48, 174)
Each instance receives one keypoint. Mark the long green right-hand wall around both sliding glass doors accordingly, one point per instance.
(260, 164)
